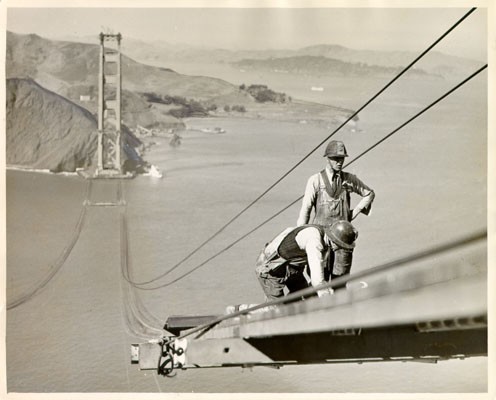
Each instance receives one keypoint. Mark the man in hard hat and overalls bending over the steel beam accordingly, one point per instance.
(324, 252)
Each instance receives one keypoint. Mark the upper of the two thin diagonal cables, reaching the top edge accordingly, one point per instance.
(235, 217)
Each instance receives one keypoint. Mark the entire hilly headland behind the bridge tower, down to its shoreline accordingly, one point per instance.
(52, 93)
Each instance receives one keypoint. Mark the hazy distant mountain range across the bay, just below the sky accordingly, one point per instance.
(318, 59)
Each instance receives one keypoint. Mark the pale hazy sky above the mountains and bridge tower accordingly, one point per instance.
(411, 29)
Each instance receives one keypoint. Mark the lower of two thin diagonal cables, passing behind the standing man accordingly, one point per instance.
(298, 199)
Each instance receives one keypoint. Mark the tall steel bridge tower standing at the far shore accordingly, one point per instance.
(109, 107)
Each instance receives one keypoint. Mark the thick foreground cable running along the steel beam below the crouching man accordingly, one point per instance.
(342, 280)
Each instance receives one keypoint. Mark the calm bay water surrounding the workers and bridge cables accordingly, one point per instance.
(430, 184)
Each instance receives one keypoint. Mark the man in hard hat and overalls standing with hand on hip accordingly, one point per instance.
(328, 192)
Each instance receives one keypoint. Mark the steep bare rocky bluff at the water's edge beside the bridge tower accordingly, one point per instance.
(46, 131)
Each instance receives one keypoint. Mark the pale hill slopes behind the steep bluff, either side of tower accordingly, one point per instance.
(71, 70)
